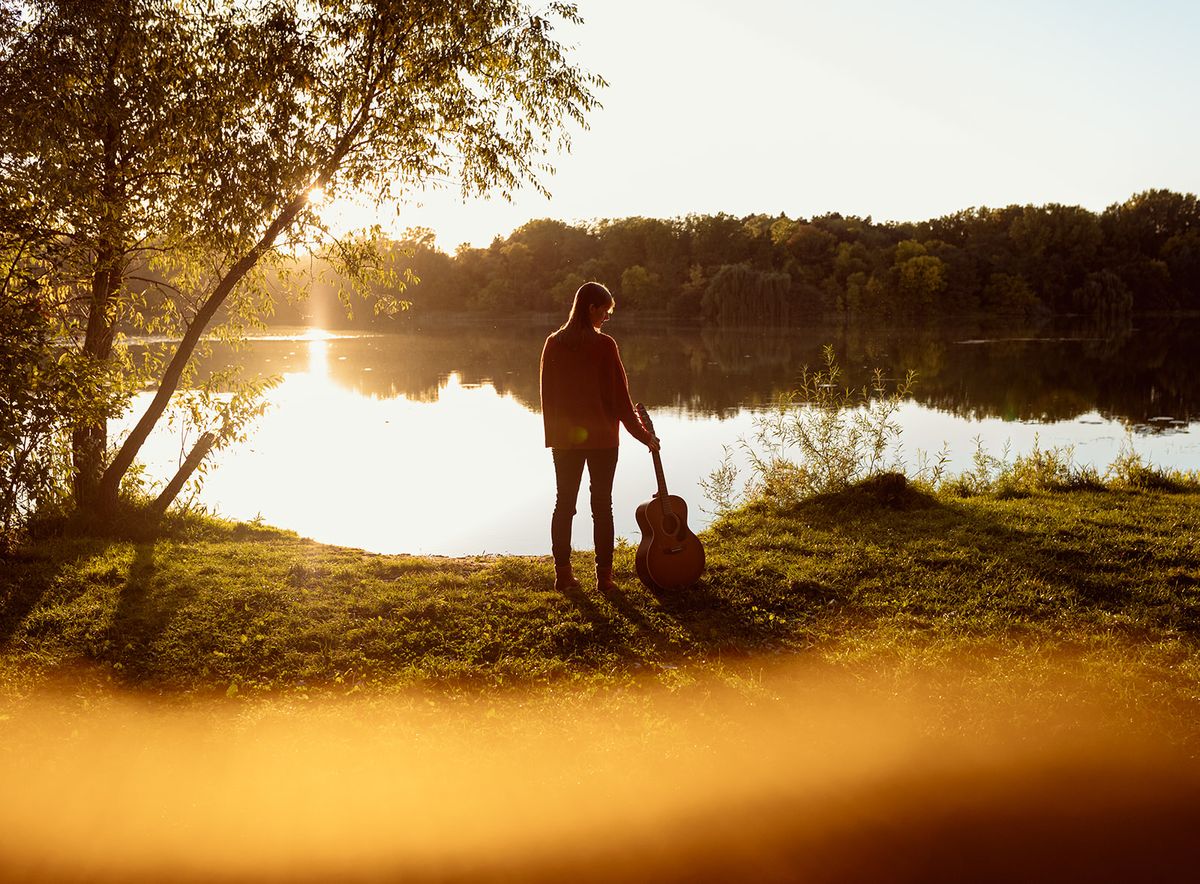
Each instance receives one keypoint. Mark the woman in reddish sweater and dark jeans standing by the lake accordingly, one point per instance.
(585, 395)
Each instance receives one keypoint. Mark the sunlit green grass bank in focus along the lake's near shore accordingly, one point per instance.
(1048, 596)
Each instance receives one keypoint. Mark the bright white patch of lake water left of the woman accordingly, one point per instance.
(453, 477)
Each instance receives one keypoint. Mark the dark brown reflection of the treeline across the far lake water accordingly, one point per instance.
(1052, 374)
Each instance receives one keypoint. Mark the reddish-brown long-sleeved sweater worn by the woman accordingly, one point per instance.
(585, 395)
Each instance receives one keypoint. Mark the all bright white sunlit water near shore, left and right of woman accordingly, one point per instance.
(346, 458)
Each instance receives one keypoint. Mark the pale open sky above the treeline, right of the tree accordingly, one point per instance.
(897, 111)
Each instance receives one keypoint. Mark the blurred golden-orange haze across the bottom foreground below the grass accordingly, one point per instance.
(766, 774)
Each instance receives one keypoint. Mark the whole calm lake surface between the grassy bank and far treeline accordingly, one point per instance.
(430, 441)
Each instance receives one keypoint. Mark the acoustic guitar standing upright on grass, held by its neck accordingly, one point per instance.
(670, 556)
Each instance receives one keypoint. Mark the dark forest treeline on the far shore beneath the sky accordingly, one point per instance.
(1017, 262)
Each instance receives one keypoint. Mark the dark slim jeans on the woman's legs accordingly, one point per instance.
(568, 473)
